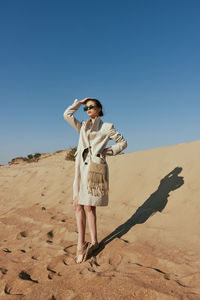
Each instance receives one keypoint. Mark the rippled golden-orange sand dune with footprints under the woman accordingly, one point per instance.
(149, 233)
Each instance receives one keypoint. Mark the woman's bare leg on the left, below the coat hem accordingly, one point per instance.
(81, 225)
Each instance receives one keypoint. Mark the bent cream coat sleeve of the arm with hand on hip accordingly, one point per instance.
(121, 143)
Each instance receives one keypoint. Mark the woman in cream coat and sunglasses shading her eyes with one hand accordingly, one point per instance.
(91, 150)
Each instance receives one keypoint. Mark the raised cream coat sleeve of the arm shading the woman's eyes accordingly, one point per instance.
(69, 115)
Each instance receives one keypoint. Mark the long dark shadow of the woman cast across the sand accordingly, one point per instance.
(156, 202)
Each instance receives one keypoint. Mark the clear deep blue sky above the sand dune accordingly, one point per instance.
(139, 58)
